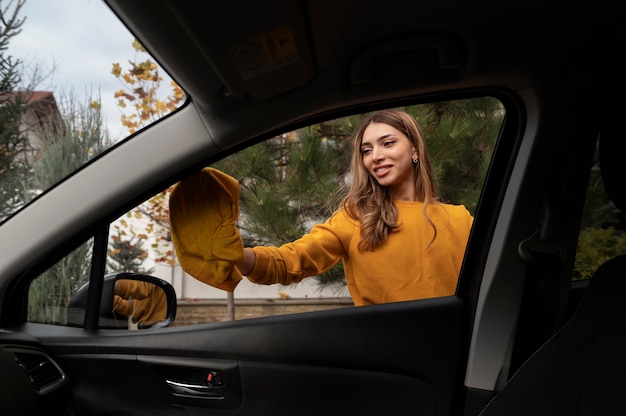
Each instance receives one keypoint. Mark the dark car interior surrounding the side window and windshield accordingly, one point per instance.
(527, 332)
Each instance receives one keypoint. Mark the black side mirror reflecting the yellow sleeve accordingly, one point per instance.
(129, 301)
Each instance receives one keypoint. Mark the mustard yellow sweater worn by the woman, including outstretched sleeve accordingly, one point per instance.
(403, 268)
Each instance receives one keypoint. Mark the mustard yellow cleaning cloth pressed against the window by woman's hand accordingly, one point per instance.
(204, 209)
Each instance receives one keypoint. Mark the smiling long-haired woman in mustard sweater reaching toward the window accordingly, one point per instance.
(397, 240)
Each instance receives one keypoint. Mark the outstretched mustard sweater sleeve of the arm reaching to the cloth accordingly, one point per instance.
(312, 254)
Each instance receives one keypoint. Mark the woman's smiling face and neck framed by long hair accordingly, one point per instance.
(388, 156)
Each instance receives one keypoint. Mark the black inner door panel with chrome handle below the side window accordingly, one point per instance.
(308, 363)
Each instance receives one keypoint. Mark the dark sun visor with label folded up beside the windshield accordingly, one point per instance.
(261, 53)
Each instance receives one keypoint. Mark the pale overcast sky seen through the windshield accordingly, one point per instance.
(80, 39)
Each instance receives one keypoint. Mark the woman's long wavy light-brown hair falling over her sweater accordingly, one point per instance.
(372, 204)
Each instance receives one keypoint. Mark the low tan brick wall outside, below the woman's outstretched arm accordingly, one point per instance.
(203, 311)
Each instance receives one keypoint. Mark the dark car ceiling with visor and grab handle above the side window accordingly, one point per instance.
(343, 53)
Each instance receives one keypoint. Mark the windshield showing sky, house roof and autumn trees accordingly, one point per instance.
(75, 82)
